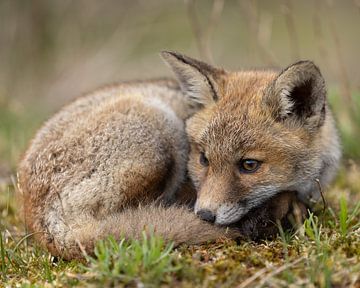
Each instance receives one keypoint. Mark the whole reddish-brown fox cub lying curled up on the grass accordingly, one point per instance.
(211, 154)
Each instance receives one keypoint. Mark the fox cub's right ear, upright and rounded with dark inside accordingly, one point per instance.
(299, 93)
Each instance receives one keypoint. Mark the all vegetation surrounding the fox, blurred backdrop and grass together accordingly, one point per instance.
(53, 51)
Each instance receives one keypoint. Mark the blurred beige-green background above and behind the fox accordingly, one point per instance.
(53, 51)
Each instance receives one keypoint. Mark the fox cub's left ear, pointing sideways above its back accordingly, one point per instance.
(197, 79)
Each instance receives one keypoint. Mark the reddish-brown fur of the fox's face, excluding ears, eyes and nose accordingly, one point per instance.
(241, 125)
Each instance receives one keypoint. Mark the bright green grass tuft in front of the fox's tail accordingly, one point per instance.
(128, 262)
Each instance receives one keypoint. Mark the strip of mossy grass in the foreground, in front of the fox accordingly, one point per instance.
(318, 254)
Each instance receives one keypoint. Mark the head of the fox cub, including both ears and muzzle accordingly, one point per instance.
(256, 134)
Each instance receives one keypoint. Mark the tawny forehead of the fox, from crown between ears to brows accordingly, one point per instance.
(239, 122)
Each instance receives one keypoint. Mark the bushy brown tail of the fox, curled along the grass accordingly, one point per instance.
(174, 223)
